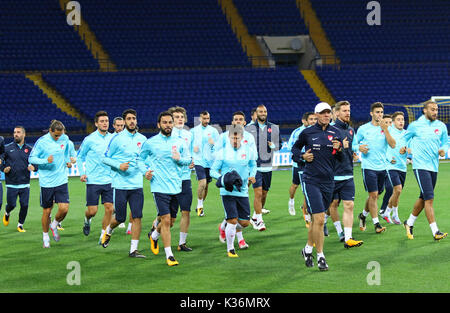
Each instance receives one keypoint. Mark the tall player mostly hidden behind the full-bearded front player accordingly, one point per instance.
(184, 199)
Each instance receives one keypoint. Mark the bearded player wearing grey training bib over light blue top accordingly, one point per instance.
(268, 140)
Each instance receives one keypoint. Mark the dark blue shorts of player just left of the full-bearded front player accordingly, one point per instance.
(133, 197)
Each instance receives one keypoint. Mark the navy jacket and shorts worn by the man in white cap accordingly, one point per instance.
(318, 175)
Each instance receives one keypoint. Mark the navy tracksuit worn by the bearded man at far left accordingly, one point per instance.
(17, 178)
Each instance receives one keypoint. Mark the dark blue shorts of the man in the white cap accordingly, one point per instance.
(318, 196)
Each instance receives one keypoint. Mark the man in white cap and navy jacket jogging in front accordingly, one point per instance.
(323, 146)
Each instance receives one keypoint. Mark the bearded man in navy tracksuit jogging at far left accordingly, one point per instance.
(17, 176)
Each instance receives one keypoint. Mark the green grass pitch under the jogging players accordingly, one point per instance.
(272, 264)
